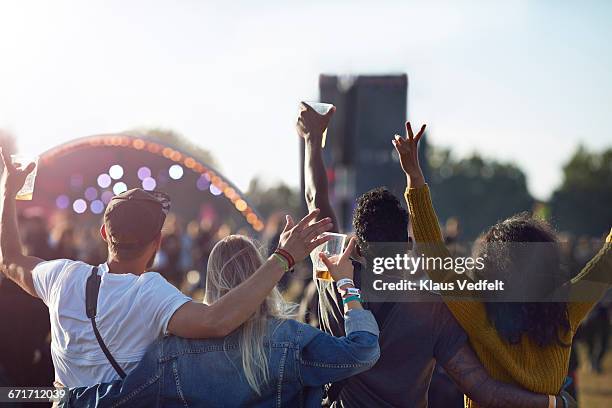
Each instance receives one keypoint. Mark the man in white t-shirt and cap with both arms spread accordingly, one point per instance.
(134, 307)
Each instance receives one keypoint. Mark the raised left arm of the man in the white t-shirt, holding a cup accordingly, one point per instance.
(15, 265)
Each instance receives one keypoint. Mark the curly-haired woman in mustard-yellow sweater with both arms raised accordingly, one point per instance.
(521, 342)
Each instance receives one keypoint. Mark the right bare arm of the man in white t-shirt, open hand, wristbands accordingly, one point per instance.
(197, 320)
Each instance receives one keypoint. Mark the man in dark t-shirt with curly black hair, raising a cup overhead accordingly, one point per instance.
(414, 335)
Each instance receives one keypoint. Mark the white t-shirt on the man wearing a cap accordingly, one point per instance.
(133, 311)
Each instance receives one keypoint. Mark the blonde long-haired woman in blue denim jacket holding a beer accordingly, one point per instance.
(270, 361)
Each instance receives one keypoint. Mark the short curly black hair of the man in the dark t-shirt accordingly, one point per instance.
(379, 217)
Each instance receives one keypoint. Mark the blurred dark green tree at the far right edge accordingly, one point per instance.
(583, 202)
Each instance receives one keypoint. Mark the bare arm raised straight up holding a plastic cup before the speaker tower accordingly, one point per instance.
(310, 126)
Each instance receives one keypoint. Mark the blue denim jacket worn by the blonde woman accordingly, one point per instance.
(177, 372)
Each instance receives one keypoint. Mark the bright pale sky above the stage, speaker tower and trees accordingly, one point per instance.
(519, 81)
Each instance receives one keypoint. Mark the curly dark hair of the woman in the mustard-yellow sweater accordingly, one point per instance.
(542, 322)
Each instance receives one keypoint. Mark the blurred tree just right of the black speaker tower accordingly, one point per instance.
(478, 191)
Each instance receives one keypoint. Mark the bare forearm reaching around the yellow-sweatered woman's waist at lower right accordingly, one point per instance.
(473, 380)
